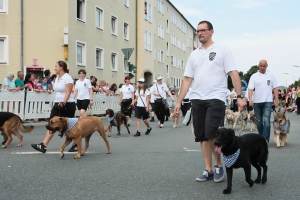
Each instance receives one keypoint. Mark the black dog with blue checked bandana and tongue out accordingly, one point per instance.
(242, 151)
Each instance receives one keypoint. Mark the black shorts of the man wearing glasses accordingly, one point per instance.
(207, 117)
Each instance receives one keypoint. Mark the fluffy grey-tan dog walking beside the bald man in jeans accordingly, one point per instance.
(281, 126)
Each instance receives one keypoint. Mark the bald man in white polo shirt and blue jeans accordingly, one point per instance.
(264, 83)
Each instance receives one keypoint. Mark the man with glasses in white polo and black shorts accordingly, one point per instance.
(209, 66)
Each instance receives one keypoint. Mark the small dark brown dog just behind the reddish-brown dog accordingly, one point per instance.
(116, 120)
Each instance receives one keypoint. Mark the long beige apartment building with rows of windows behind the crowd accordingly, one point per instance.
(90, 35)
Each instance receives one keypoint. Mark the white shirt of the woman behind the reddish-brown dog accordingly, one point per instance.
(60, 87)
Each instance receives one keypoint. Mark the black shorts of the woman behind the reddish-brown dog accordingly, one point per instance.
(68, 112)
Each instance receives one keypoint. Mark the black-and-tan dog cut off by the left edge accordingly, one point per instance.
(10, 124)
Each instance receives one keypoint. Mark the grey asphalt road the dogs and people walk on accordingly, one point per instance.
(162, 165)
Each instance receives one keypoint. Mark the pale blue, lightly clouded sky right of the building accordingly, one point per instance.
(253, 30)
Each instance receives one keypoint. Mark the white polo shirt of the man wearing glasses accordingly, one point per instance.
(209, 68)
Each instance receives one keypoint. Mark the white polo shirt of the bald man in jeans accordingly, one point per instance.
(263, 85)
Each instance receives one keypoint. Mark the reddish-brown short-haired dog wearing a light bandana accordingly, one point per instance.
(83, 128)
